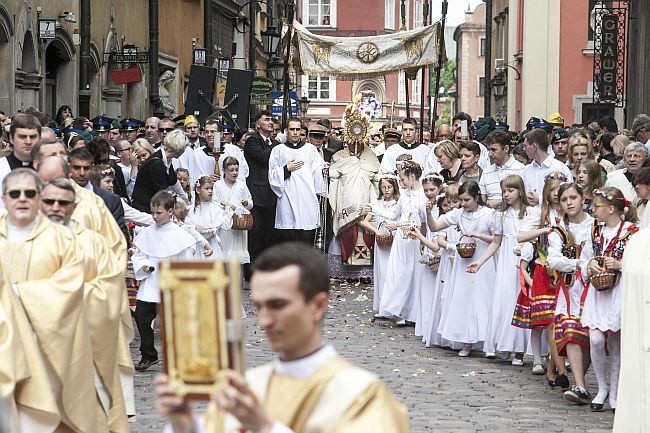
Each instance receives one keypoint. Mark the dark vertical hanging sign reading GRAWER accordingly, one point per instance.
(609, 58)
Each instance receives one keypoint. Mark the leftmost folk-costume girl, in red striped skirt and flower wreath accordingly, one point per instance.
(535, 308)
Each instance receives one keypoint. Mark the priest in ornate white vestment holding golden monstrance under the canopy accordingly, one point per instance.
(352, 185)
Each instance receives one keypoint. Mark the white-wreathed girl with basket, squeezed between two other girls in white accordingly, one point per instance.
(431, 184)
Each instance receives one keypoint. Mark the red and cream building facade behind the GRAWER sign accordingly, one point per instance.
(544, 61)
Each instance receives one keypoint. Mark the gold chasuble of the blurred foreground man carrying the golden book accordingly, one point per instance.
(338, 398)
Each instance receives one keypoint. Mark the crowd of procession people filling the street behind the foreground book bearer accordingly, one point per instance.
(481, 238)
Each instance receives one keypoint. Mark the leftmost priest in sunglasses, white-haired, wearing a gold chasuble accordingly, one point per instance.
(45, 272)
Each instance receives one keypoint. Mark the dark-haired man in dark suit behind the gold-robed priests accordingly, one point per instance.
(81, 165)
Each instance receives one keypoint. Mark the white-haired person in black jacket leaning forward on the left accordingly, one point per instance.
(157, 172)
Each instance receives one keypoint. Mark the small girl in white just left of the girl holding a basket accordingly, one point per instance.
(207, 216)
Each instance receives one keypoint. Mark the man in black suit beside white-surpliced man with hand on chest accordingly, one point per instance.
(257, 152)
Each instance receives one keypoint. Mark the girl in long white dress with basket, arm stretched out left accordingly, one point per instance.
(469, 303)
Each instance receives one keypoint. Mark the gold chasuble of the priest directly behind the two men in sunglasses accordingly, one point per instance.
(92, 213)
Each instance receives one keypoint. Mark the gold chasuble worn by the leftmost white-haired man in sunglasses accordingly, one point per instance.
(48, 276)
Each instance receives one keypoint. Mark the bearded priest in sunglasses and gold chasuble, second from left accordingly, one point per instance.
(103, 285)
